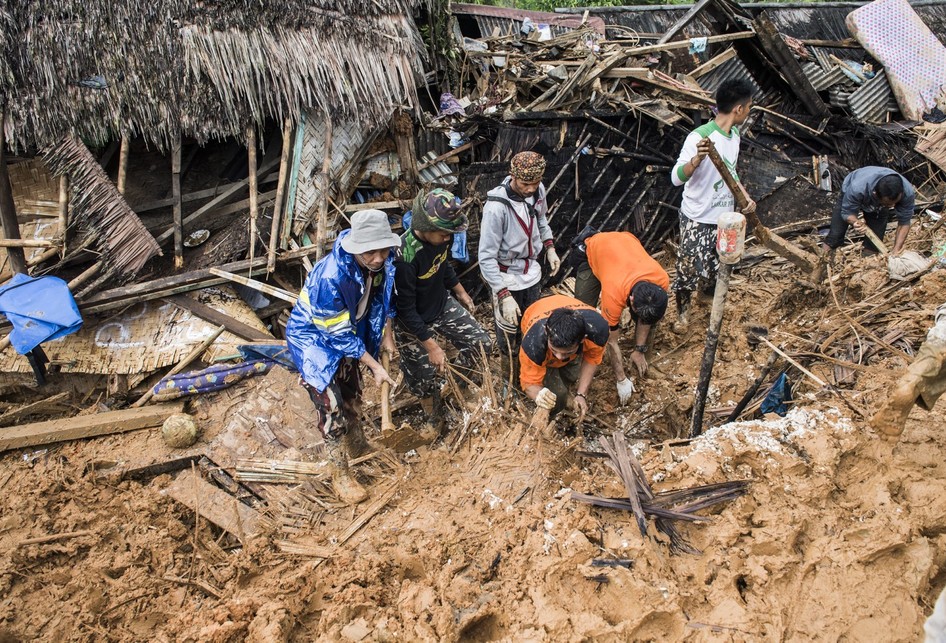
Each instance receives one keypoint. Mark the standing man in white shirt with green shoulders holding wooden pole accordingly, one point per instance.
(705, 195)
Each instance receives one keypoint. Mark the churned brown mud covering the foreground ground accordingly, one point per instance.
(840, 536)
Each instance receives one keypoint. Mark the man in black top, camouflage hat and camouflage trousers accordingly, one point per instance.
(424, 279)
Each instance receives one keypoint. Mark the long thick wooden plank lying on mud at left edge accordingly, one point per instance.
(86, 426)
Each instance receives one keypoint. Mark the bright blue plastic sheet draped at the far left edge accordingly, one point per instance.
(40, 309)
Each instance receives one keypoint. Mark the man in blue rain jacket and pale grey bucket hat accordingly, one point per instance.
(343, 318)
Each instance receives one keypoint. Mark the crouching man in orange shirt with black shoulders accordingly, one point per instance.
(563, 342)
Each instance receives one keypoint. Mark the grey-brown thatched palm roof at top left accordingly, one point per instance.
(160, 68)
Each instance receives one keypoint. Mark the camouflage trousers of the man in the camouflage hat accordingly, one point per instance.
(456, 325)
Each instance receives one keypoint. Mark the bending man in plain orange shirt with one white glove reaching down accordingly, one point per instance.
(617, 268)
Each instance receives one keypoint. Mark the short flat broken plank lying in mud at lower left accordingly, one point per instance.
(215, 505)
